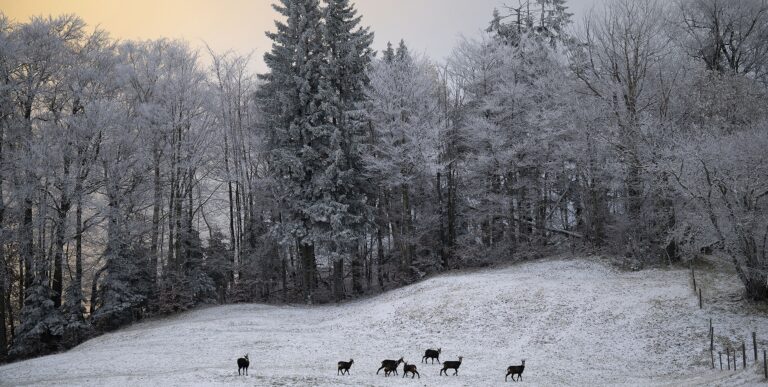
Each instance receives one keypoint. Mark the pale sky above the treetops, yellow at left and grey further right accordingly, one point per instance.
(429, 27)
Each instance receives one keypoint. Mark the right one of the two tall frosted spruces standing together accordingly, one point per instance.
(348, 54)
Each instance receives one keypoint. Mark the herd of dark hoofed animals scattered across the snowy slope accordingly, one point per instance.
(390, 366)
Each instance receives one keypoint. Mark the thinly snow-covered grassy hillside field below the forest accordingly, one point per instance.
(576, 322)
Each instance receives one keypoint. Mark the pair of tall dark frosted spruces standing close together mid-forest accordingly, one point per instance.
(311, 99)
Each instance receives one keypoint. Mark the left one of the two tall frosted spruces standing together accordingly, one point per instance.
(299, 142)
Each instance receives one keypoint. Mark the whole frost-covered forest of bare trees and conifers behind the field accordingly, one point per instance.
(146, 178)
